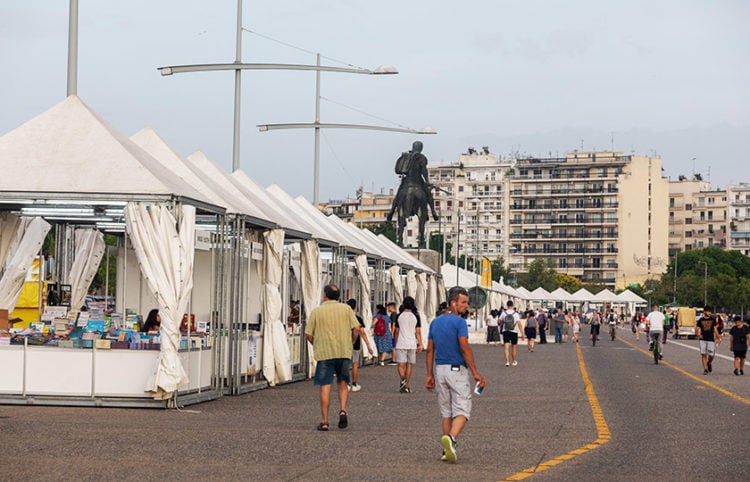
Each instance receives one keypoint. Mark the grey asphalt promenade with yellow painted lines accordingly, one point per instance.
(662, 422)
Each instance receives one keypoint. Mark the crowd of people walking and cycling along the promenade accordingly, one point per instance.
(337, 334)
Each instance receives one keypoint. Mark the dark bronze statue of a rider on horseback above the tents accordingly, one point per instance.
(414, 195)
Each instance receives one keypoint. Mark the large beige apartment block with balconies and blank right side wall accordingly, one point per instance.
(598, 216)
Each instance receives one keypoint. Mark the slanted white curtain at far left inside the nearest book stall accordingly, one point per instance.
(27, 242)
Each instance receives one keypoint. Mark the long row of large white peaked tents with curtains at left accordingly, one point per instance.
(263, 247)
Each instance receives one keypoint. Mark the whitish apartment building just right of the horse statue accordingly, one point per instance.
(471, 202)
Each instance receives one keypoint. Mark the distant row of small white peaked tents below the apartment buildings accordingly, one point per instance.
(499, 293)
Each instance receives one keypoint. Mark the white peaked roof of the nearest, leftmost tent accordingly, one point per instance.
(73, 153)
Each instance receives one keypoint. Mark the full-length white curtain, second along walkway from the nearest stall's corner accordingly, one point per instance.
(277, 361)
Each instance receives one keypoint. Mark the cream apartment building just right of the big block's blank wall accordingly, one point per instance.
(697, 215)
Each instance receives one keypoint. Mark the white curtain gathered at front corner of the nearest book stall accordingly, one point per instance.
(165, 255)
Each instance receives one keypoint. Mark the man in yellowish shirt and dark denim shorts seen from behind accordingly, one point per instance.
(332, 330)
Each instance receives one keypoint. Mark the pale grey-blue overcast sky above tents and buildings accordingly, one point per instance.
(522, 77)
